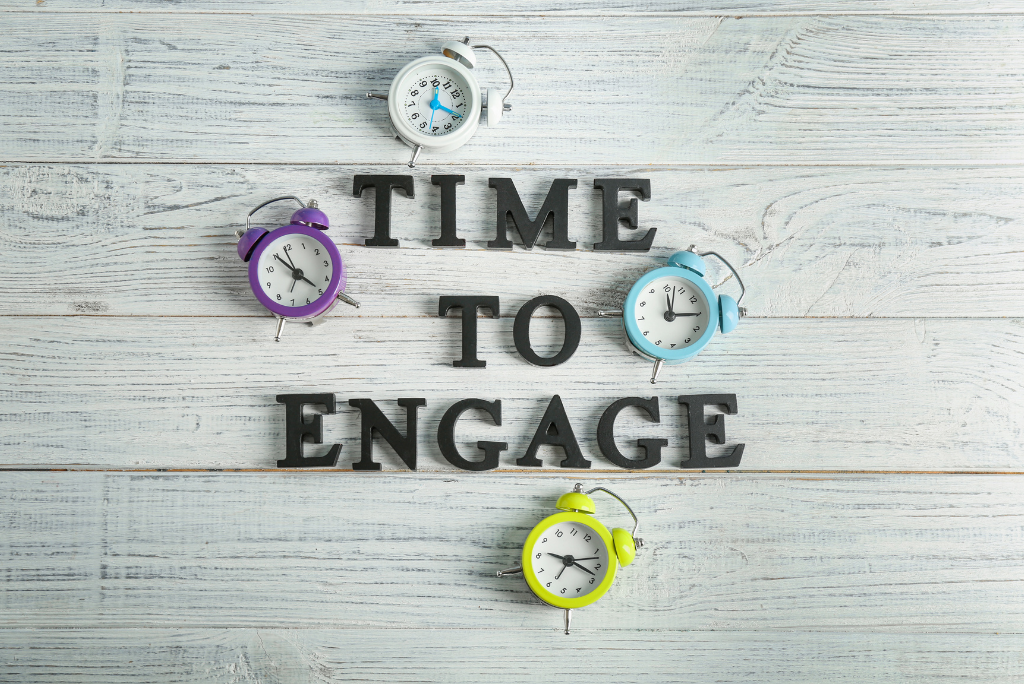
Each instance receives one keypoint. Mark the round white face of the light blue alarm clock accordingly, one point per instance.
(672, 313)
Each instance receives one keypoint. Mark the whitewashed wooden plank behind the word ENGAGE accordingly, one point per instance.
(835, 395)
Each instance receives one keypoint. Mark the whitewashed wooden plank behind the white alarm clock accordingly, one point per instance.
(695, 91)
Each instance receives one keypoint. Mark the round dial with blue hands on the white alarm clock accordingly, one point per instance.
(435, 100)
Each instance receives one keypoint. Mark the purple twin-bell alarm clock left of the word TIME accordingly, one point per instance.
(295, 271)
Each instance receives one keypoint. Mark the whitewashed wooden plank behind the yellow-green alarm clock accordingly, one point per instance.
(900, 554)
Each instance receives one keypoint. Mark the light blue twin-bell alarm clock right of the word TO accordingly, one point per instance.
(671, 314)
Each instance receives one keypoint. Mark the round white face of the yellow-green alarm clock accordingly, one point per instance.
(570, 560)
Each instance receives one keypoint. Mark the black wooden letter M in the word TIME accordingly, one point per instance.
(556, 205)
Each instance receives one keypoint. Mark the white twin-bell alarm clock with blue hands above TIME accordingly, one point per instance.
(436, 103)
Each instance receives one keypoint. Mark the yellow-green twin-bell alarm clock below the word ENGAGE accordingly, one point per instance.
(570, 560)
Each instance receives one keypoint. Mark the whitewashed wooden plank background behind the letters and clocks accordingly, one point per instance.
(861, 161)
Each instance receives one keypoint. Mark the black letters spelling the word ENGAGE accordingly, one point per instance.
(554, 430)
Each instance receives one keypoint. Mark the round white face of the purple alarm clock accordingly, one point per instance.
(295, 271)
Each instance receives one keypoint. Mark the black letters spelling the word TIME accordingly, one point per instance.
(510, 208)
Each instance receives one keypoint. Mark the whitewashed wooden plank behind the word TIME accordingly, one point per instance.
(155, 240)
